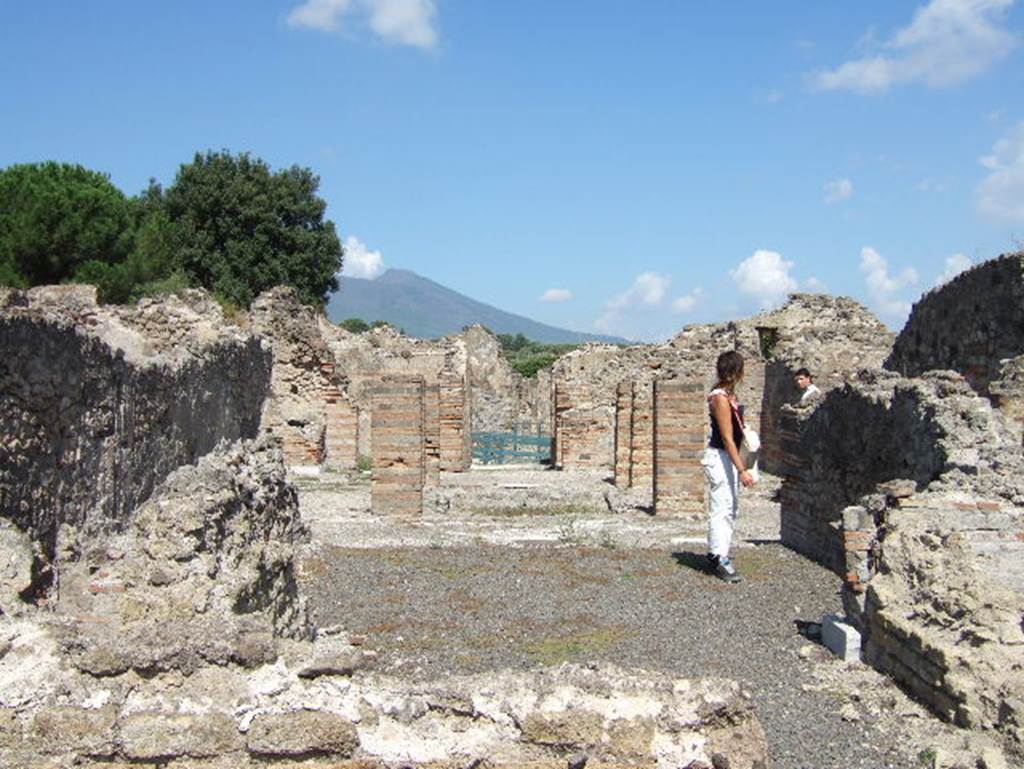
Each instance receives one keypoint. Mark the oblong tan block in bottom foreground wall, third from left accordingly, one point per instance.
(303, 734)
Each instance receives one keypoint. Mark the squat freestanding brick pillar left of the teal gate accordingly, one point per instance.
(397, 484)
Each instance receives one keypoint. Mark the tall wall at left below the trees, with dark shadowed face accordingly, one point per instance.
(99, 405)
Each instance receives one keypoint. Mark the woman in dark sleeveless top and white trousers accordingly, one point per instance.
(723, 464)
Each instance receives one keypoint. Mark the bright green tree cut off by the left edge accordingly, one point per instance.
(55, 219)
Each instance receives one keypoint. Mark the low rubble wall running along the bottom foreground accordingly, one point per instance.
(317, 710)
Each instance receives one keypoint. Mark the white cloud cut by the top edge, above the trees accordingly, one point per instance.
(403, 22)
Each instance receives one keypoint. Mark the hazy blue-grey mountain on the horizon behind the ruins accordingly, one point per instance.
(428, 310)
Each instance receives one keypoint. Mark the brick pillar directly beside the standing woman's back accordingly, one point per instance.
(680, 416)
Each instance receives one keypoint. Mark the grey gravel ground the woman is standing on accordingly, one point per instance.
(436, 601)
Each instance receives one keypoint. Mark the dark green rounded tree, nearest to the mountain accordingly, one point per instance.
(241, 229)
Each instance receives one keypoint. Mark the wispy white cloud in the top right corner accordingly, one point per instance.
(947, 44)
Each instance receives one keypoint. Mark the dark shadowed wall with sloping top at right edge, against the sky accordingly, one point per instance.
(969, 325)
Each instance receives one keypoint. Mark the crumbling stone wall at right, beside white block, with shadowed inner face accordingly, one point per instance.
(911, 490)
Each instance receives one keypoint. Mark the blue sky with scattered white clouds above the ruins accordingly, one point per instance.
(628, 168)
